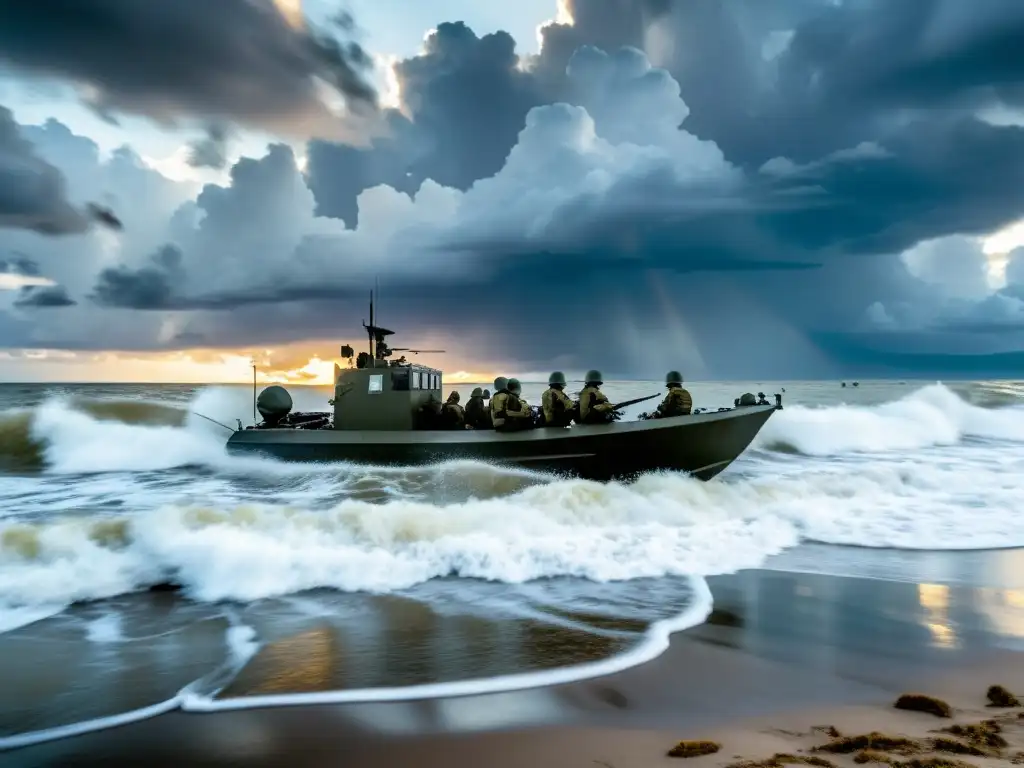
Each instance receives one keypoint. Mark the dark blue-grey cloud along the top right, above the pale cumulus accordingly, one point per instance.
(829, 91)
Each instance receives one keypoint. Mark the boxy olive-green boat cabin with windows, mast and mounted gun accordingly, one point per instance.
(375, 394)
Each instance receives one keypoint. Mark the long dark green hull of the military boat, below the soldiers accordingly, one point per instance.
(702, 445)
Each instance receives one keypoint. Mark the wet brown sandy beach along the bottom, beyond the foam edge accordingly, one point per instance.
(785, 653)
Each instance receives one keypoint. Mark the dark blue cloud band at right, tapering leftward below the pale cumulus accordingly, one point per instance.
(941, 178)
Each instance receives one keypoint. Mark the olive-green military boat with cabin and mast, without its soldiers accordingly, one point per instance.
(378, 419)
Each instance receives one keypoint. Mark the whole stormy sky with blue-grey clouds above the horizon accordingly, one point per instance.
(741, 189)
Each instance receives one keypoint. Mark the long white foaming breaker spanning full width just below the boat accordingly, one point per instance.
(662, 525)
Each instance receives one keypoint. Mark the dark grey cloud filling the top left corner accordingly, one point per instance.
(235, 60)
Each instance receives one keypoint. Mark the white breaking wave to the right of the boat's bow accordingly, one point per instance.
(930, 417)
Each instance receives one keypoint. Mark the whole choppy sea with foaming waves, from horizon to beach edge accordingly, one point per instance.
(143, 570)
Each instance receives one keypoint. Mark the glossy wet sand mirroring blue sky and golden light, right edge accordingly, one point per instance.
(837, 624)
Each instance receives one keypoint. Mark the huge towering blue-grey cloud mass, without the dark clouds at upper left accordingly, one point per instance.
(736, 207)
